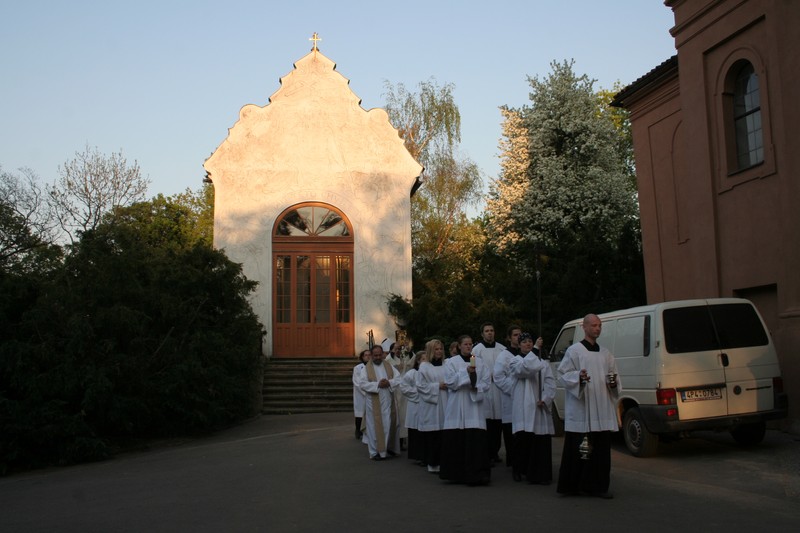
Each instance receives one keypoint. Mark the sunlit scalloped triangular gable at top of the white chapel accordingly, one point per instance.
(316, 122)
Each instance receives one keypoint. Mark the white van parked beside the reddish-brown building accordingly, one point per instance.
(687, 365)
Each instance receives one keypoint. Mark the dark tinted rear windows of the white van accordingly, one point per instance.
(715, 327)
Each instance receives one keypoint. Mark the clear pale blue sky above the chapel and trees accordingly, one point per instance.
(164, 80)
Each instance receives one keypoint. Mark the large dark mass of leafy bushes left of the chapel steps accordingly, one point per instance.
(143, 331)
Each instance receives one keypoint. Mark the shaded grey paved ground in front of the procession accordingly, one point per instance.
(308, 473)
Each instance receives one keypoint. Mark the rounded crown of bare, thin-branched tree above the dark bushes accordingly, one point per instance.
(92, 185)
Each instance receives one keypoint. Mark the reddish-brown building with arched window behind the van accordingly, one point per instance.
(714, 133)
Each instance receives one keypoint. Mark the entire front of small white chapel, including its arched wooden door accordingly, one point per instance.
(313, 198)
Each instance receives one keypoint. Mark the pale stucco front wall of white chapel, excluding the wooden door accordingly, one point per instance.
(314, 142)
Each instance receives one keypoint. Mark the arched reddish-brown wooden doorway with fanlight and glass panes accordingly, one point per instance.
(312, 285)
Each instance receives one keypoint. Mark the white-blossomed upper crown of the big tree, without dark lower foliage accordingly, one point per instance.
(562, 178)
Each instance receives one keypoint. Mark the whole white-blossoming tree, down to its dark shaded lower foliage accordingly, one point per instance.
(564, 205)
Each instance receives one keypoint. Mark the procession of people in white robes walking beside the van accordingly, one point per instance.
(454, 404)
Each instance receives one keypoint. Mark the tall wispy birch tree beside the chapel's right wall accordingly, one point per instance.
(445, 243)
